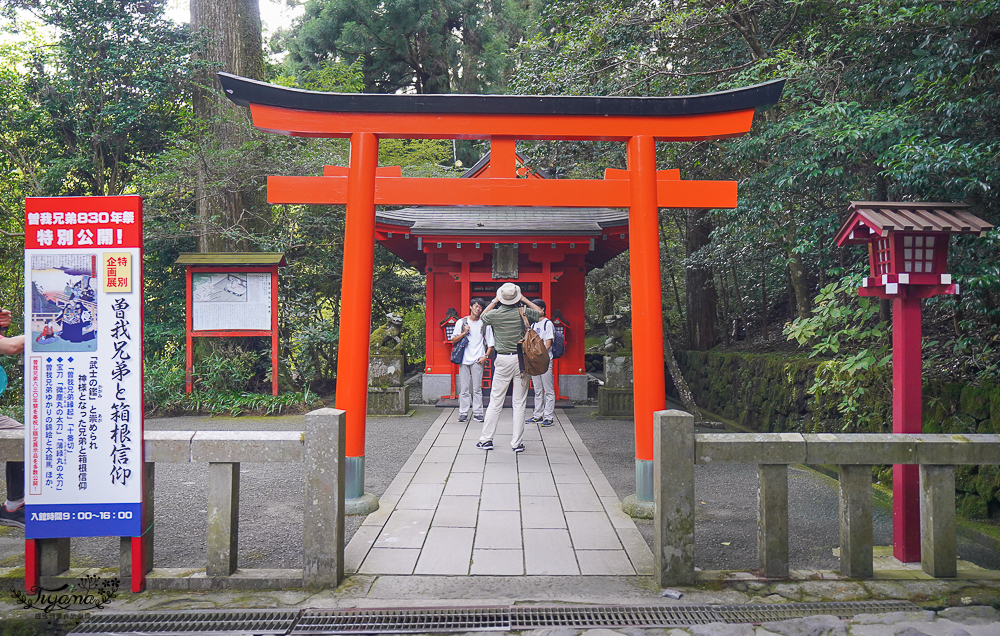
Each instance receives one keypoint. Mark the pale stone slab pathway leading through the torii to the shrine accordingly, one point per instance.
(457, 510)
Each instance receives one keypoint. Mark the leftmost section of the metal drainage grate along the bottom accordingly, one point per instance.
(191, 622)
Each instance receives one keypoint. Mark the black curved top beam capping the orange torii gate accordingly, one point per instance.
(244, 92)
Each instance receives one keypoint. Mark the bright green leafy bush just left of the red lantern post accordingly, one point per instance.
(858, 378)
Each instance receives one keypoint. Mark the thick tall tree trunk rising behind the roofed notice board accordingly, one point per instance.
(235, 46)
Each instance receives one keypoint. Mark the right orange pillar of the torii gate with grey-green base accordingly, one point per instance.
(647, 307)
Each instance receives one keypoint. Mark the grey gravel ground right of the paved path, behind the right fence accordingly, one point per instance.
(726, 500)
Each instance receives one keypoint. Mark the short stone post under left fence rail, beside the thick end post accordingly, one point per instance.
(223, 517)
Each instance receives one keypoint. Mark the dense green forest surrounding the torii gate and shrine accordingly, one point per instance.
(890, 100)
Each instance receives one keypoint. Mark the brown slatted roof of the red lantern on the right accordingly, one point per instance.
(869, 220)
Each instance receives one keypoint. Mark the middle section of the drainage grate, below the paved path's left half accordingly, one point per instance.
(403, 621)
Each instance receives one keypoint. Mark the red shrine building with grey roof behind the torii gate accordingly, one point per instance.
(469, 251)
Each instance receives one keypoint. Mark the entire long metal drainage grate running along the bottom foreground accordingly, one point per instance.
(461, 619)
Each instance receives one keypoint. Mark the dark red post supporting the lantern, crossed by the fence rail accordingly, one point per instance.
(907, 417)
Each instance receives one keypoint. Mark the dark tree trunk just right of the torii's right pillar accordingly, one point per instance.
(700, 288)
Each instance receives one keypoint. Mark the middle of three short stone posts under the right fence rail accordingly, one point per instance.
(856, 521)
